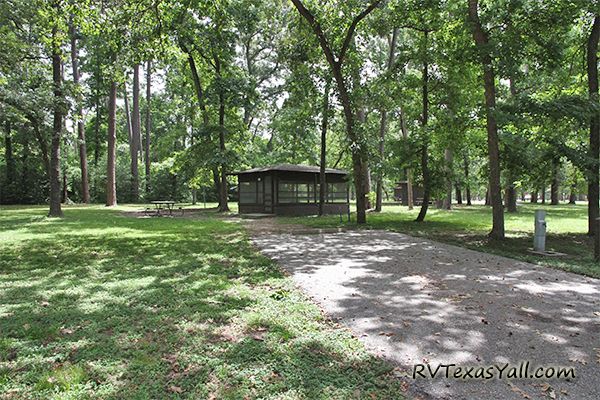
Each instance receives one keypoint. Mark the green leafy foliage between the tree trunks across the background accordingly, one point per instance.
(263, 62)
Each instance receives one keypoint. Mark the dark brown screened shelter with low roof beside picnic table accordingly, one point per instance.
(287, 189)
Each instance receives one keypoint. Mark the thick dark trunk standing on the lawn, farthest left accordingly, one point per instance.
(55, 193)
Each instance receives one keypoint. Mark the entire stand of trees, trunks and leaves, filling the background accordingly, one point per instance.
(463, 99)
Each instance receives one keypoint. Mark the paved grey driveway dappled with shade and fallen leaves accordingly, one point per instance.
(415, 301)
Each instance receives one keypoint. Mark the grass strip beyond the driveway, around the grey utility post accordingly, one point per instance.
(469, 226)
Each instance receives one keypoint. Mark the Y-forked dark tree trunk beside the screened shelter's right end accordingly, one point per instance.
(336, 63)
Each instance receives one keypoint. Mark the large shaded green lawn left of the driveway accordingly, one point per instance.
(100, 305)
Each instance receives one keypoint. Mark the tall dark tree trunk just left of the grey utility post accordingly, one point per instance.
(482, 42)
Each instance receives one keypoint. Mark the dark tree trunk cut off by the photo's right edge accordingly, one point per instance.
(594, 150)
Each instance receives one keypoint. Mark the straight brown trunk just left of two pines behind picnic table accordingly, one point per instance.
(111, 176)
